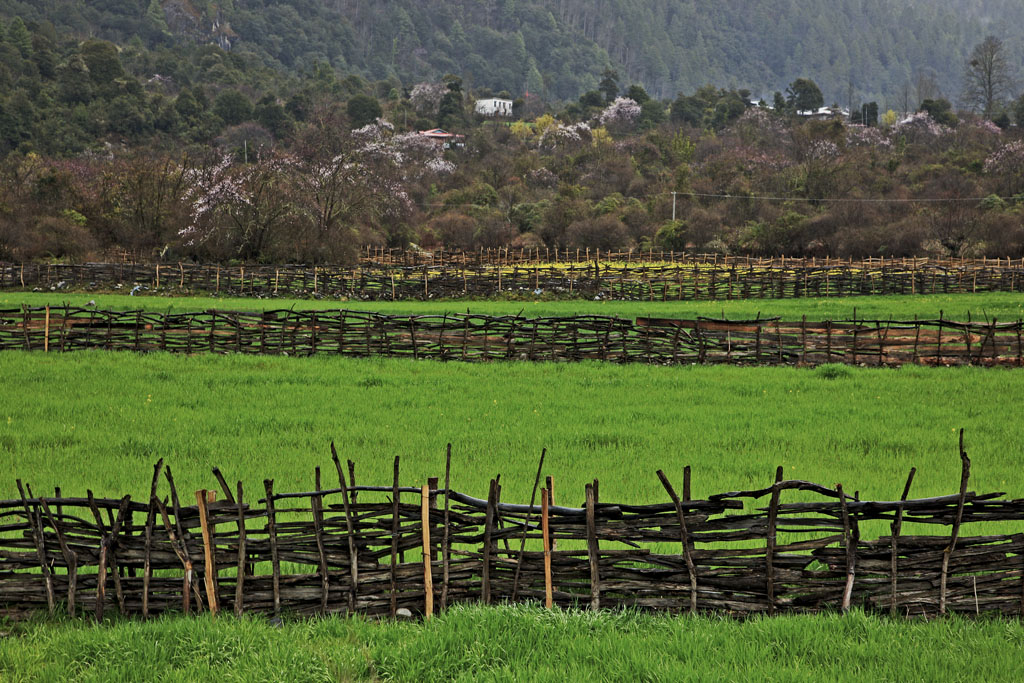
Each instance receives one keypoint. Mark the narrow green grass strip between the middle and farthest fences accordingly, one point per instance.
(1004, 307)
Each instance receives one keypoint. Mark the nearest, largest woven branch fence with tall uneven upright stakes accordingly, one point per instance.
(374, 550)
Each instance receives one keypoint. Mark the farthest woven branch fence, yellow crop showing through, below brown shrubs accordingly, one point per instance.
(695, 280)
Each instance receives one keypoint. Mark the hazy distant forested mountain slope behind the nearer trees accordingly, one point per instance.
(885, 51)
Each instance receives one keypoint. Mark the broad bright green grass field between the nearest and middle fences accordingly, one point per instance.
(100, 420)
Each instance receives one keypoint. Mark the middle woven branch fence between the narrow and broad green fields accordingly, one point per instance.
(468, 337)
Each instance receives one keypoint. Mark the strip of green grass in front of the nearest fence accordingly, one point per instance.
(521, 644)
